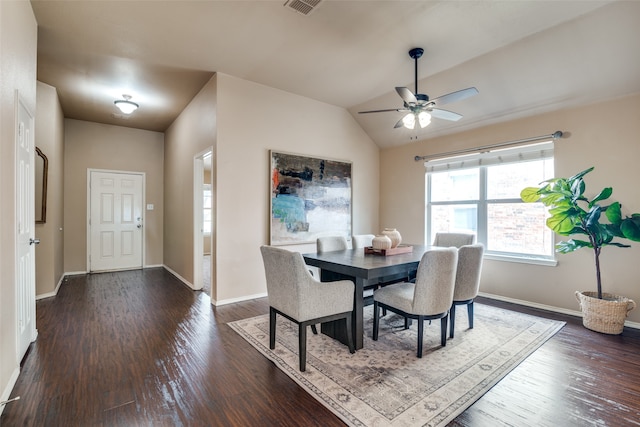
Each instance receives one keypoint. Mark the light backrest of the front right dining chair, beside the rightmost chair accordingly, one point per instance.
(435, 281)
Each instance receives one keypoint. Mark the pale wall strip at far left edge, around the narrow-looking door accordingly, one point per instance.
(18, 45)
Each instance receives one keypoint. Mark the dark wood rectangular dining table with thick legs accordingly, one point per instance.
(365, 270)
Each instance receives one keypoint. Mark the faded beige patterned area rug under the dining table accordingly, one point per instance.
(385, 384)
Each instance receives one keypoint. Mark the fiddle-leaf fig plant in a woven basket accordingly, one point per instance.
(572, 213)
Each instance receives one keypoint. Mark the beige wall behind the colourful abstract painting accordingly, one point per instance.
(253, 119)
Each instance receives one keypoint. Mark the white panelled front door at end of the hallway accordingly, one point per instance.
(115, 221)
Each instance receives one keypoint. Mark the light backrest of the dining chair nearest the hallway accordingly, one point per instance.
(286, 275)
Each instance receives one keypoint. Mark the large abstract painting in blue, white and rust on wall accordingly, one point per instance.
(310, 197)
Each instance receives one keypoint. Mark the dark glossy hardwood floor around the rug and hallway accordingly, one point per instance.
(138, 348)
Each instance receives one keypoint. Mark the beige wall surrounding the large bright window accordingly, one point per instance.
(604, 135)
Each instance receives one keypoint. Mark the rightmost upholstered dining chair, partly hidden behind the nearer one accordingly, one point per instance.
(467, 282)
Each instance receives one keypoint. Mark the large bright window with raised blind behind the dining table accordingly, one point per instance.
(480, 193)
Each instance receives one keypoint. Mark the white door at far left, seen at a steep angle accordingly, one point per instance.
(25, 236)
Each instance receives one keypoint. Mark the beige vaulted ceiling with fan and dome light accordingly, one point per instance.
(524, 57)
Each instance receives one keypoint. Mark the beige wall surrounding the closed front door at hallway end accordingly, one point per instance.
(90, 145)
